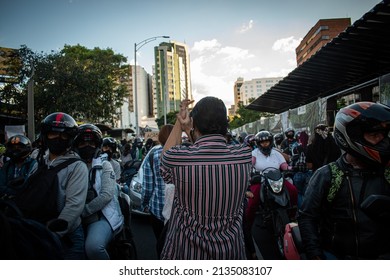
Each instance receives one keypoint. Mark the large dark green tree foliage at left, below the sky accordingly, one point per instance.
(85, 83)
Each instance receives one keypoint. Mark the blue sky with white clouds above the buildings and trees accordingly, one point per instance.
(226, 39)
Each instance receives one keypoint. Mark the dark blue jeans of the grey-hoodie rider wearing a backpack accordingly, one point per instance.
(73, 244)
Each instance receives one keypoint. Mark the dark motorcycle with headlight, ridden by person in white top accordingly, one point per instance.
(275, 204)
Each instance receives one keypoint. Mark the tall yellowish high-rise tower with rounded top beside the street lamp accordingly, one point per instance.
(172, 76)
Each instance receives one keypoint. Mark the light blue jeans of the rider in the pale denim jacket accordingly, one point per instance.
(99, 234)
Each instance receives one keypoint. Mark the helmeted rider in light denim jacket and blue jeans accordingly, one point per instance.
(102, 217)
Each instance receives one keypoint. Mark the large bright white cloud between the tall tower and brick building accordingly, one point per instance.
(215, 67)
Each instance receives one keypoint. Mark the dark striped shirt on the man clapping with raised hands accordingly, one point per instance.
(210, 178)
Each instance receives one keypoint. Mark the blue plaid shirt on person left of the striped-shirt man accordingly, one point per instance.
(153, 184)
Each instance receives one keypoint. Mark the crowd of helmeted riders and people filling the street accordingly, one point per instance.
(197, 183)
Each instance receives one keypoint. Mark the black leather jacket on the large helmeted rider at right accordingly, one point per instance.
(341, 227)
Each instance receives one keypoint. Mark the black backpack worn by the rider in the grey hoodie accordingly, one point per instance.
(38, 199)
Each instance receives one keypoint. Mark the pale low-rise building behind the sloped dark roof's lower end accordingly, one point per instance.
(254, 88)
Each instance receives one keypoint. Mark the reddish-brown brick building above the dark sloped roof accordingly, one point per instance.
(319, 35)
